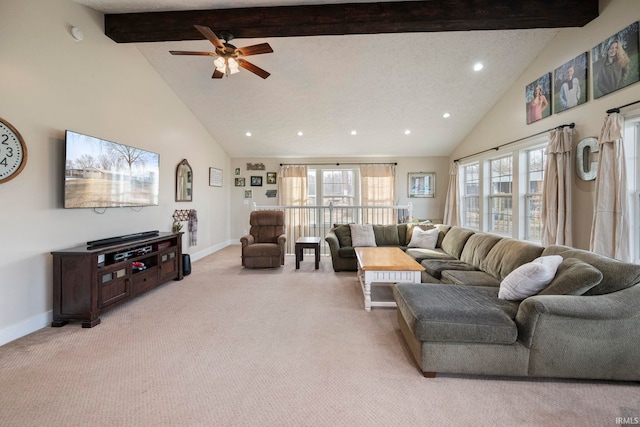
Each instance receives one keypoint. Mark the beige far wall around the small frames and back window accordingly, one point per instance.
(422, 207)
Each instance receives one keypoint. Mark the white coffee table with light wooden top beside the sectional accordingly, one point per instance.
(384, 265)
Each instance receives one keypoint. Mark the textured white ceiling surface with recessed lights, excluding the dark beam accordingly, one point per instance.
(326, 86)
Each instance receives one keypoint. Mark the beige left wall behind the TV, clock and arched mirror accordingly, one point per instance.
(49, 83)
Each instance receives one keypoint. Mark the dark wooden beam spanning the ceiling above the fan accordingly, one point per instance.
(352, 18)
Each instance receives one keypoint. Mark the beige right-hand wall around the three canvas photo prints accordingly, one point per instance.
(507, 122)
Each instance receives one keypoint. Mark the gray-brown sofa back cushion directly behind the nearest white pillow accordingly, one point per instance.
(574, 277)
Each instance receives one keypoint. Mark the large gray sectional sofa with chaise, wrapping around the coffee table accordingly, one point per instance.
(584, 324)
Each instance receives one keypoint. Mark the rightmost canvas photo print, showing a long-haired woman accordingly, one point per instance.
(615, 62)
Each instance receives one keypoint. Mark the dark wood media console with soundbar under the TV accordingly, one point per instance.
(89, 280)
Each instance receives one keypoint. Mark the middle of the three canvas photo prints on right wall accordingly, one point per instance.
(570, 86)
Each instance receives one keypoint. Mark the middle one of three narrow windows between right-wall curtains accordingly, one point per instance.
(500, 195)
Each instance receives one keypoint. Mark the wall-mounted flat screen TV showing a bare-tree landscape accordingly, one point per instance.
(105, 174)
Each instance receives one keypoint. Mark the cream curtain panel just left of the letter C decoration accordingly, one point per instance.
(556, 193)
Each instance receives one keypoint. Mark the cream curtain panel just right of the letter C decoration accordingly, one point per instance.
(610, 227)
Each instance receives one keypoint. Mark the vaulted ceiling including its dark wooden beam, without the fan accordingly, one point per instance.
(380, 69)
